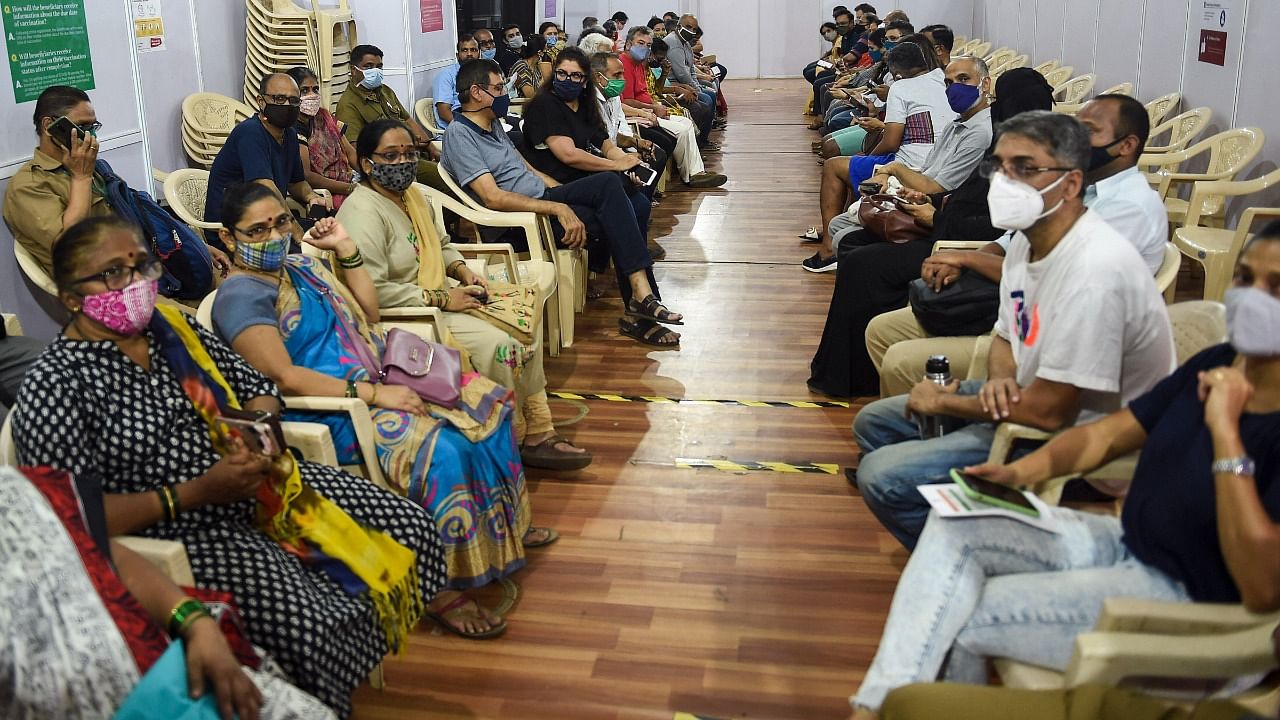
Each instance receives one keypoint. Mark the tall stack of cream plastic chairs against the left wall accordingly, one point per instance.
(280, 35)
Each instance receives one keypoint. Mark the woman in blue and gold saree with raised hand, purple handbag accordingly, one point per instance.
(307, 331)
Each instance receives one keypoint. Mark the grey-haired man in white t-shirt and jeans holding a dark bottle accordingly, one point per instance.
(1082, 329)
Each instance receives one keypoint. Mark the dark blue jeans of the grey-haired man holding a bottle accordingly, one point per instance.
(898, 461)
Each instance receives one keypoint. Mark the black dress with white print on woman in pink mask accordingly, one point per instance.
(89, 409)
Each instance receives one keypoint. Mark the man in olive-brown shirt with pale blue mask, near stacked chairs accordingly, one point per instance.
(368, 99)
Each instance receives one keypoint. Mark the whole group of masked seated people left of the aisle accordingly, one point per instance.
(144, 421)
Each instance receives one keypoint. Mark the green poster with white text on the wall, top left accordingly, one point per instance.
(48, 44)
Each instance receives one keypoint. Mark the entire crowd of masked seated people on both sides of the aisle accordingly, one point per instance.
(140, 420)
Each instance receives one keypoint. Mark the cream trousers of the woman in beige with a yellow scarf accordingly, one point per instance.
(496, 356)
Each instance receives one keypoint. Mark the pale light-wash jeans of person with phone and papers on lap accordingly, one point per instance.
(994, 587)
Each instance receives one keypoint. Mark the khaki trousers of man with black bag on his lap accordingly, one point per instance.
(899, 349)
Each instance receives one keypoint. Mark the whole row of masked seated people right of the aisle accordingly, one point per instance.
(1071, 238)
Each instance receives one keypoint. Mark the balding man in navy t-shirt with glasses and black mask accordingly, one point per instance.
(263, 149)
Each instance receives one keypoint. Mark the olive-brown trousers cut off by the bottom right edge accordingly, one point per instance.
(929, 701)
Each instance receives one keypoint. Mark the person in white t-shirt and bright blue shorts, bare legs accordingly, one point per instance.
(916, 113)
